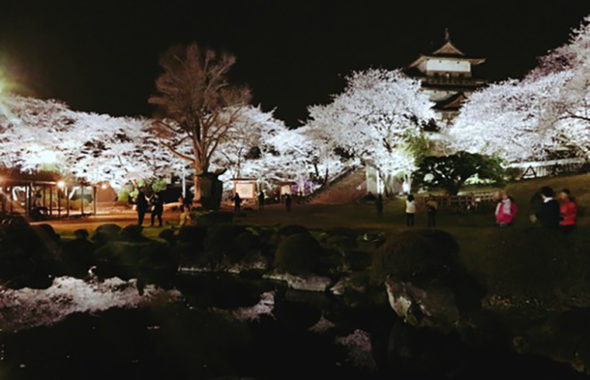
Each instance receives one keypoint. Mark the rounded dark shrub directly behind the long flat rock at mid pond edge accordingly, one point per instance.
(299, 254)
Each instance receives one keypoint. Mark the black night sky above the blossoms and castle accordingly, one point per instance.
(101, 57)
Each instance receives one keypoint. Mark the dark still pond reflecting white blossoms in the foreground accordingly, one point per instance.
(225, 326)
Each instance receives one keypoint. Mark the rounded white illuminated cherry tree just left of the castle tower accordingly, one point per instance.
(371, 120)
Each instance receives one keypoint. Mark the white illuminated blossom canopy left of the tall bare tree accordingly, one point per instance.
(38, 134)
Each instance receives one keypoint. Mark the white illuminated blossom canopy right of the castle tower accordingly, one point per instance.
(545, 115)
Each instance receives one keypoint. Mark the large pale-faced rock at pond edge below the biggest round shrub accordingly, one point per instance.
(432, 306)
